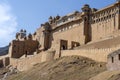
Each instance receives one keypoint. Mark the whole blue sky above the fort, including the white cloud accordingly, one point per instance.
(29, 14)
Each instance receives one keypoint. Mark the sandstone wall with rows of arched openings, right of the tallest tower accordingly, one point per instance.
(105, 22)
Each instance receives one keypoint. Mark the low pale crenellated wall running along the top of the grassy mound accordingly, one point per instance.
(95, 54)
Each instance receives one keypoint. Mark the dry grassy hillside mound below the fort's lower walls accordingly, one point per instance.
(65, 68)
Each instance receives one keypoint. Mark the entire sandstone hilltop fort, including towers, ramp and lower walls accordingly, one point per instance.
(91, 33)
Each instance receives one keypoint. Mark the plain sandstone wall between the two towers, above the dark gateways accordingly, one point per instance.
(70, 33)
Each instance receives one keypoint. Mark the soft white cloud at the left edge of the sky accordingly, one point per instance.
(8, 24)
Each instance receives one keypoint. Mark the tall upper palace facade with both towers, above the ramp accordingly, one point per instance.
(79, 28)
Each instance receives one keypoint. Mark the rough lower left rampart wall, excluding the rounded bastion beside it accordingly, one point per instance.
(25, 63)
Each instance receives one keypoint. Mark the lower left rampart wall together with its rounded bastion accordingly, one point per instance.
(26, 63)
